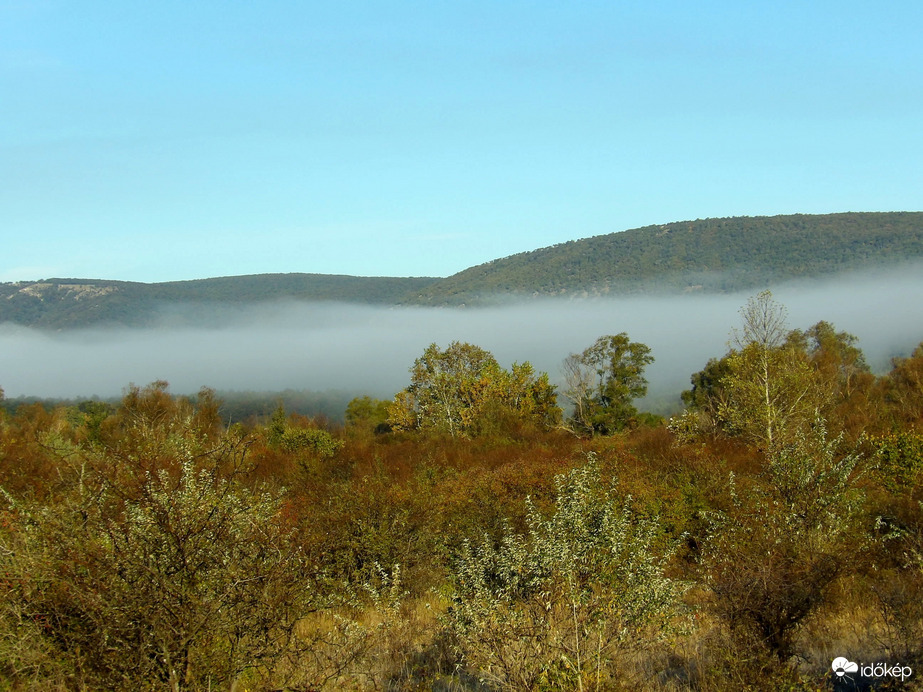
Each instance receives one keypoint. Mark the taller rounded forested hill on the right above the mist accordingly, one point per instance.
(712, 255)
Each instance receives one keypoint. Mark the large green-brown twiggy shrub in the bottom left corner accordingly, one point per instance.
(190, 580)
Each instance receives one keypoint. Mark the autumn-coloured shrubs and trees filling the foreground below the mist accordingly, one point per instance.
(468, 535)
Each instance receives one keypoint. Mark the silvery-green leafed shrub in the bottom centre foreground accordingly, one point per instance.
(555, 607)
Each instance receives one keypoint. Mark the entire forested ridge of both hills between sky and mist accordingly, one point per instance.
(708, 255)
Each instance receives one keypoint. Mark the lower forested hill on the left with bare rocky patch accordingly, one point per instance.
(74, 303)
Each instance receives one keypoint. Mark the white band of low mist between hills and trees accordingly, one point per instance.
(335, 346)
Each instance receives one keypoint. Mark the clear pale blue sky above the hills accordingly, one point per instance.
(154, 141)
